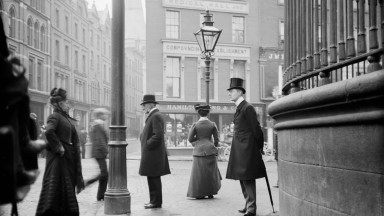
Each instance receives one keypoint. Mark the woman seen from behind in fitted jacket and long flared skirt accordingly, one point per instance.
(205, 175)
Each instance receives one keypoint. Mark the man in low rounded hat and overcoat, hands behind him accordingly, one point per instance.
(154, 159)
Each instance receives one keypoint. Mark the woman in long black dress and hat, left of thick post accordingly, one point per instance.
(63, 164)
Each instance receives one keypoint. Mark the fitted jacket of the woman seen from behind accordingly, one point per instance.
(200, 136)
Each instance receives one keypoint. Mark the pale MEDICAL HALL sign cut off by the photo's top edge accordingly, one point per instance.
(232, 7)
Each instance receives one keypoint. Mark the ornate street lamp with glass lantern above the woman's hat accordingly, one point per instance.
(207, 37)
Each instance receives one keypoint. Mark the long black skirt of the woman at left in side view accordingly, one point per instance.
(58, 197)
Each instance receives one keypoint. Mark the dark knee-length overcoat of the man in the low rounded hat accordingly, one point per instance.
(154, 159)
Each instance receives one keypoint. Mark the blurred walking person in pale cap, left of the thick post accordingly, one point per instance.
(99, 139)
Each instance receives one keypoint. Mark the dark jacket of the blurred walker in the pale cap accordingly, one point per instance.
(99, 140)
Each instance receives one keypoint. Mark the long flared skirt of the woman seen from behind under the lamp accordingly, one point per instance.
(205, 177)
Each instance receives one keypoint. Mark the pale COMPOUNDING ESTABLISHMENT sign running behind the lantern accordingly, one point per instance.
(193, 49)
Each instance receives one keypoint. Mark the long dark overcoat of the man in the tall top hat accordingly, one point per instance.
(245, 160)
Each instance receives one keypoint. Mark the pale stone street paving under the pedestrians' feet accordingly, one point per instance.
(175, 202)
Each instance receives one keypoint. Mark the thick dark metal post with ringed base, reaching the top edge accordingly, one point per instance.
(117, 197)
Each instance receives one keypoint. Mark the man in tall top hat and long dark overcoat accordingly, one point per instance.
(245, 161)
